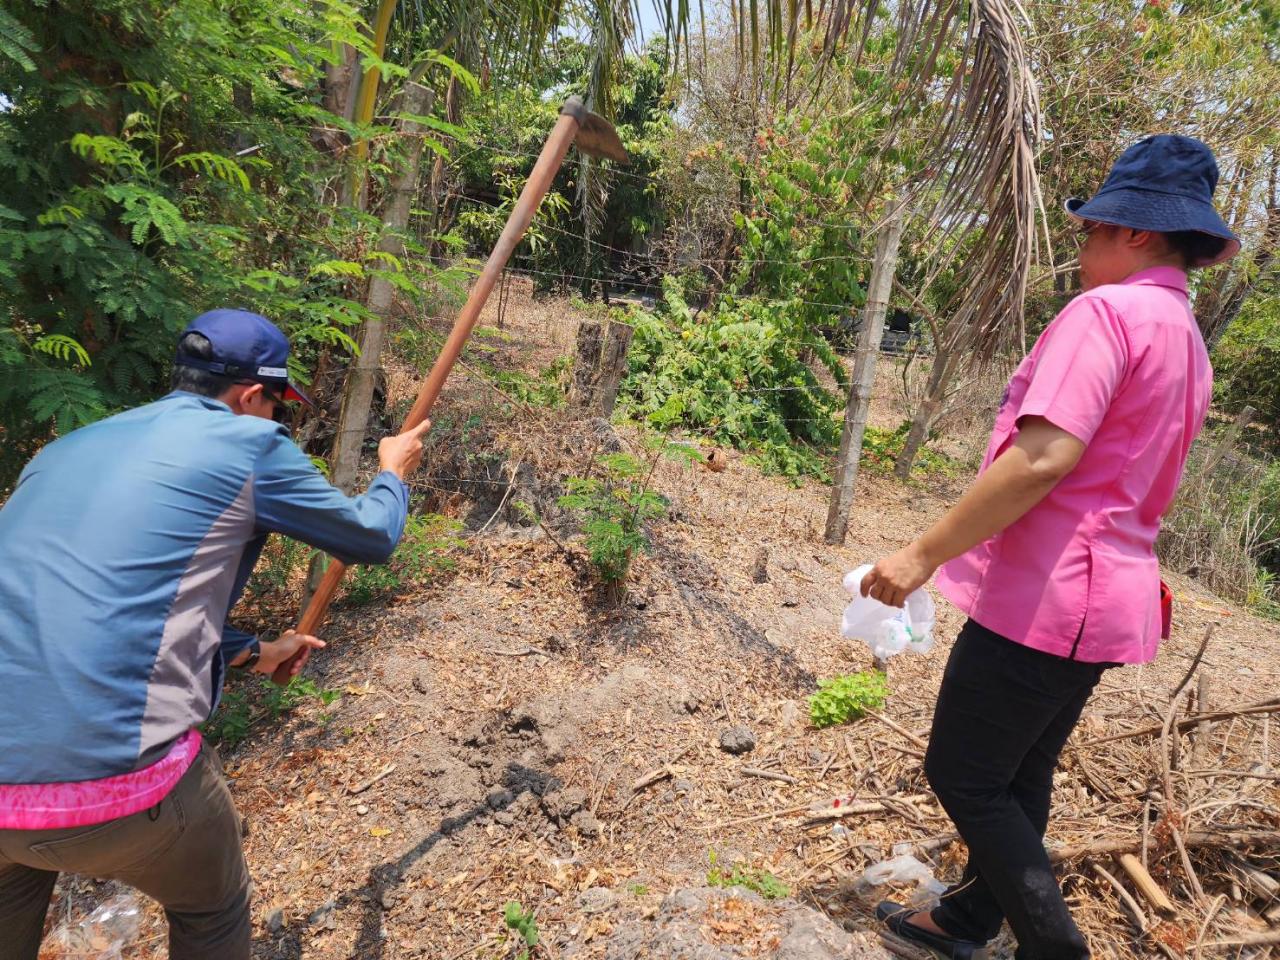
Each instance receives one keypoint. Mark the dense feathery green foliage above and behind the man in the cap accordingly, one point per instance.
(139, 191)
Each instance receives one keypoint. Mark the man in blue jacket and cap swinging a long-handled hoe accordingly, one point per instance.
(122, 551)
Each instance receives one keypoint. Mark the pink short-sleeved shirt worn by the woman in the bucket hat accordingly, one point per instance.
(1124, 369)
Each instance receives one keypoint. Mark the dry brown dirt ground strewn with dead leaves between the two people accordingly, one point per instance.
(495, 728)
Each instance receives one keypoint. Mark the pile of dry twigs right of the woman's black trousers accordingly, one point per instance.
(1178, 826)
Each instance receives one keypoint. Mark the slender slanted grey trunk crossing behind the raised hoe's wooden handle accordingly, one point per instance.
(358, 394)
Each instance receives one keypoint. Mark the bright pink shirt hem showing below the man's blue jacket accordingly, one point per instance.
(56, 806)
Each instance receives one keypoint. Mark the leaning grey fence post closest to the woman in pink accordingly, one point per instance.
(863, 376)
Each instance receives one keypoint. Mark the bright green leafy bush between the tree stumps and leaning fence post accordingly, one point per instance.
(738, 374)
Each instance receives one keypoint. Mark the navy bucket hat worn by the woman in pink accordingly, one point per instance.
(1163, 184)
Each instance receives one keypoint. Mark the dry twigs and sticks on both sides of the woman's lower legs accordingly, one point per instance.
(1167, 821)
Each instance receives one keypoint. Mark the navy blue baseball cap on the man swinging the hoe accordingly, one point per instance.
(246, 346)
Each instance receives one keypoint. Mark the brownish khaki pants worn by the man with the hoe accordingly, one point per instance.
(185, 853)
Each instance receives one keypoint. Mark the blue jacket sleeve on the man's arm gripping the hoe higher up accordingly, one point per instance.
(291, 497)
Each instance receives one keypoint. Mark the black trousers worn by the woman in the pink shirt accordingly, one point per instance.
(1004, 715)
